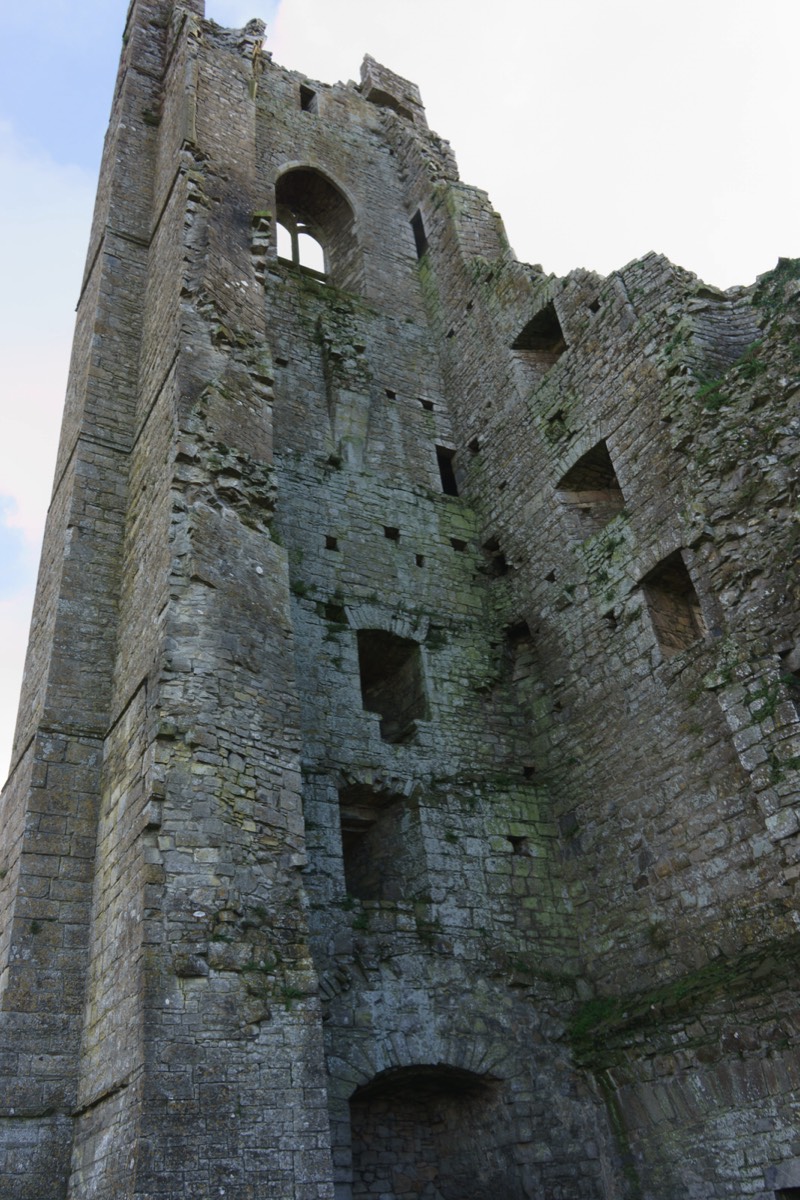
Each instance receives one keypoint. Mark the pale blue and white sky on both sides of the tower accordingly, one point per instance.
(600, 130)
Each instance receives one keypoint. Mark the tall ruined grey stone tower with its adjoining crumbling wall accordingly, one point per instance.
(405, 790)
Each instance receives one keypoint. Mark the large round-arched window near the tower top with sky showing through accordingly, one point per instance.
(316, 227)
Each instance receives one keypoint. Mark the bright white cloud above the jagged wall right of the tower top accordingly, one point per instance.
(600, 131)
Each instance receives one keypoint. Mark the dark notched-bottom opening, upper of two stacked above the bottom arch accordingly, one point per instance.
(393, 686)
